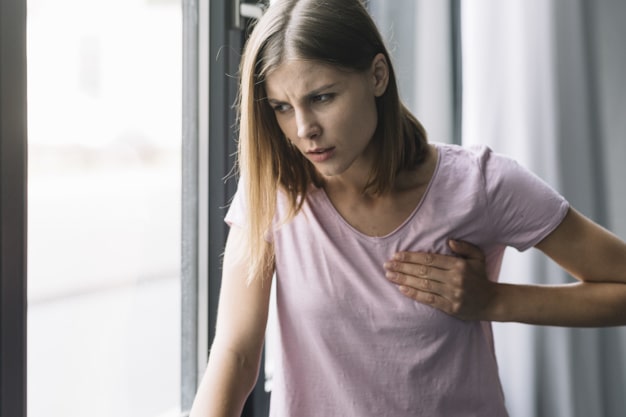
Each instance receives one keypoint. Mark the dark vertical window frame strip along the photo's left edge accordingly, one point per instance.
(13, 205)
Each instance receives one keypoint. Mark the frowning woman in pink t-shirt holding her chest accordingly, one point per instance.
(385, 249)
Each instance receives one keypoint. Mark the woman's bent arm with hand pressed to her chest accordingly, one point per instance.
(459, 285)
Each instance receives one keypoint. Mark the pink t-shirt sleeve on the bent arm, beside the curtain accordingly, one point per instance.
(522, 209)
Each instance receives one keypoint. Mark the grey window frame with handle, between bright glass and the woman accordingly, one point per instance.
(213, 39)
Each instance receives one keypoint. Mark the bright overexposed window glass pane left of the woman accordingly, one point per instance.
(104, 111)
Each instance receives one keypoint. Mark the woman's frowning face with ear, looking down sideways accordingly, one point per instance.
(327, 113)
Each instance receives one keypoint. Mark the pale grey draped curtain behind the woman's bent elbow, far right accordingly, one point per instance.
(543, 82)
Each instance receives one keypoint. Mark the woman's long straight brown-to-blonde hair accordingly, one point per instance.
(335, 32)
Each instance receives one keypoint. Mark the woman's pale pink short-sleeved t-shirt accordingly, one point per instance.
(350, 344)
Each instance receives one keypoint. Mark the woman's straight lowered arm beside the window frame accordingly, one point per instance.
(235, 355)
